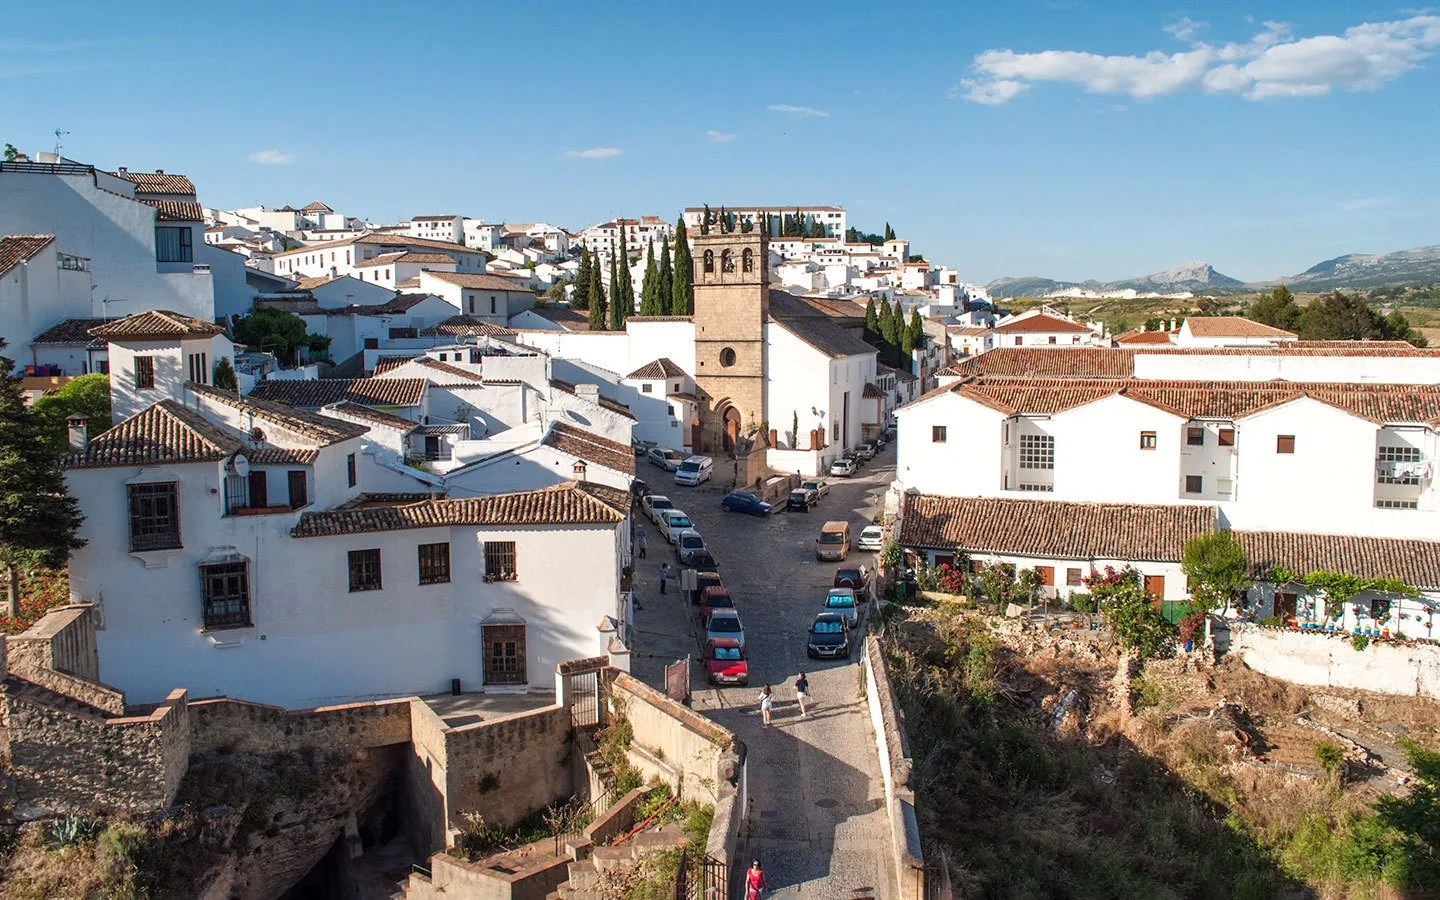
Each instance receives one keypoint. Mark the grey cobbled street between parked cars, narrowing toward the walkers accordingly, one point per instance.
(817, 817)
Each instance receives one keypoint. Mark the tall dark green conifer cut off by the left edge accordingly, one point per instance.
(40, 521)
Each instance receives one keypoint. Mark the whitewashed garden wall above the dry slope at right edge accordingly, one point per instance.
(1412, 670)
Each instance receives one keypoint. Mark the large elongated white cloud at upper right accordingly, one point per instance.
(1272, 64)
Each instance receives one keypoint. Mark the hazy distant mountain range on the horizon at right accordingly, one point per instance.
(1353, 271)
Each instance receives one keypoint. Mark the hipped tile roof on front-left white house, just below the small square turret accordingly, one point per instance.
(162, 434)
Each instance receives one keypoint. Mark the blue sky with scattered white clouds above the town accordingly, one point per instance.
(1066, 139)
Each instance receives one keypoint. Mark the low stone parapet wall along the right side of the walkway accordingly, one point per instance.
(895, 768)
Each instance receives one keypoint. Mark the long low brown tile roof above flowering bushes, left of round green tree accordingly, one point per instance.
(1053, 529)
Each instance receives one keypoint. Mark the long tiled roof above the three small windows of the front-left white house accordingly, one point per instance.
(565, 505)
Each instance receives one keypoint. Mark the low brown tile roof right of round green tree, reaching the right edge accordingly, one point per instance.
(1415, 562)
